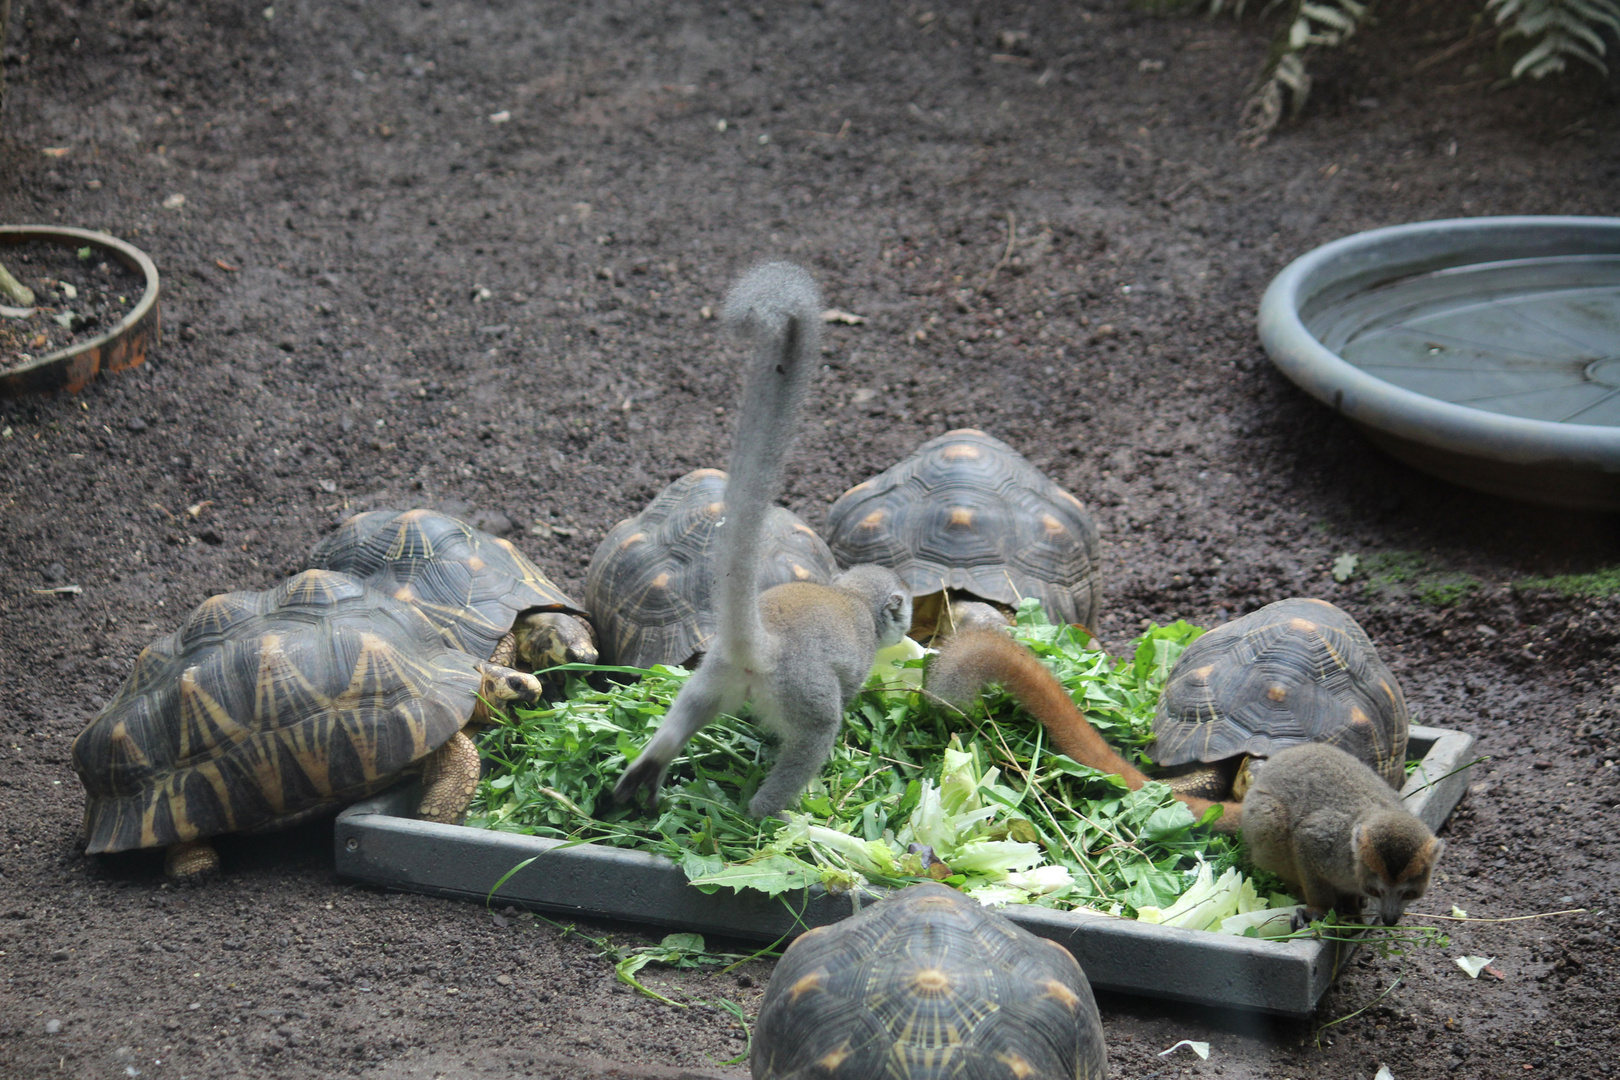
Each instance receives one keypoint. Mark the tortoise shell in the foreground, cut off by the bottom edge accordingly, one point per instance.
(927, 984)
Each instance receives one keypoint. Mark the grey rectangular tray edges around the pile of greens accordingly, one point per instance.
(377, 843)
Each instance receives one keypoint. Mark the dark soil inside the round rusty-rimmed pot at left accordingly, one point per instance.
(75, 299)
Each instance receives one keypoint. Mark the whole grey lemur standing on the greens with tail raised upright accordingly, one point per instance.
(799, 652)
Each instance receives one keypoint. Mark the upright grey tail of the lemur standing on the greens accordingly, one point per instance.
(780, 307)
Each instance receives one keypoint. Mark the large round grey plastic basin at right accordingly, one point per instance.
(1483, 351)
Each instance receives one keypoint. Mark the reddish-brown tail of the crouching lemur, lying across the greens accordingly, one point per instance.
(971, 660)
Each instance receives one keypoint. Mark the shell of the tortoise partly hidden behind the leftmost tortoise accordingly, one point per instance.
(472, 585)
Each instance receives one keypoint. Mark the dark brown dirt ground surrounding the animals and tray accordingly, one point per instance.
(461, 255)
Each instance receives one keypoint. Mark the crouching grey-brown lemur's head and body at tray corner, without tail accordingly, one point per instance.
(1332, 828)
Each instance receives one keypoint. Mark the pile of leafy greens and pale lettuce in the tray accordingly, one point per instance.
(916, 791)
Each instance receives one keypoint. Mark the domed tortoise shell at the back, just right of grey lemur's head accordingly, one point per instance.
(970, 514)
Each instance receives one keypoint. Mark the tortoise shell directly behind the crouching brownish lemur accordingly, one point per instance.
(1292, 673)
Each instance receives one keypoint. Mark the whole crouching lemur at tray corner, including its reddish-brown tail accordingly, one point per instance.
(1316, 817)
